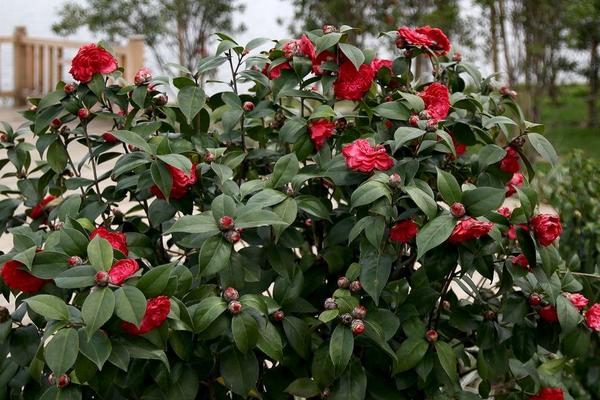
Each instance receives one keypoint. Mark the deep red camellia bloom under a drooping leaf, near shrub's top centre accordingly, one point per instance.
(352, 84)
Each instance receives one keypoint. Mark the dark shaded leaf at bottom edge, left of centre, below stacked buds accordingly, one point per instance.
(240, 371)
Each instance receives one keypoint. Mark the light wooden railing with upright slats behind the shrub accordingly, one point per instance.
(39, 64)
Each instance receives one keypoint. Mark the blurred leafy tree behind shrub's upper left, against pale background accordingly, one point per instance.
(173, 29)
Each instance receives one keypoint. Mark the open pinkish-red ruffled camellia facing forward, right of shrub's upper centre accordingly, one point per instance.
(361, 156)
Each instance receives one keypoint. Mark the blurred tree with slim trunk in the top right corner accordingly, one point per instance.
(584, 33)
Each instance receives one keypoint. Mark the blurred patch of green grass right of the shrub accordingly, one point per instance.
(565, 122)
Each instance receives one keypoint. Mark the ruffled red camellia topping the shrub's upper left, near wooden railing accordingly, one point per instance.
(90, 60)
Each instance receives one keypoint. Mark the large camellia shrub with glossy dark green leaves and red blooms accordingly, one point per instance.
(327, 227)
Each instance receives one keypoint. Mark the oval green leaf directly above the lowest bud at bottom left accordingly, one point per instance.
(61, 351)
